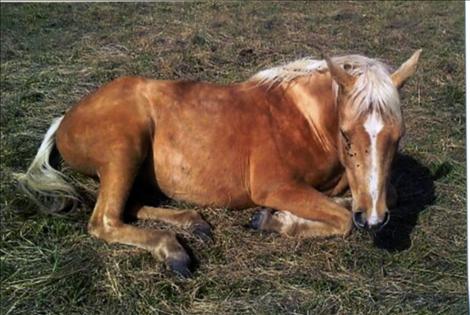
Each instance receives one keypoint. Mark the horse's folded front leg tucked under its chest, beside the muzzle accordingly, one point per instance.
(303, 211)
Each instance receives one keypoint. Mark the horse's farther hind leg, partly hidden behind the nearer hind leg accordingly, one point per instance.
(185, 218)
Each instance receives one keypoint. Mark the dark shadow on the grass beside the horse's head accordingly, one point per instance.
(415, 187)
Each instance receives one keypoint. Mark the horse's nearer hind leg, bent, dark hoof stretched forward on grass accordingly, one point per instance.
(107, 219)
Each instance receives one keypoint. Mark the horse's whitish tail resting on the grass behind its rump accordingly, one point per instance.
(47, 187)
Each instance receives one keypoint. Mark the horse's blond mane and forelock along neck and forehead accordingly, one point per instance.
(374, 89)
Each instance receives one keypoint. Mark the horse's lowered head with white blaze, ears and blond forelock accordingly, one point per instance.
(370, 128)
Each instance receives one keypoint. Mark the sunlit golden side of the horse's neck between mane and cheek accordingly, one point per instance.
(315, 99)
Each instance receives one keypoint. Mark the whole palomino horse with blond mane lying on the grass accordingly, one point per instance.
(288, 140)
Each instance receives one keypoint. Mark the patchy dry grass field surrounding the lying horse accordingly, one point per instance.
(54, 54)
